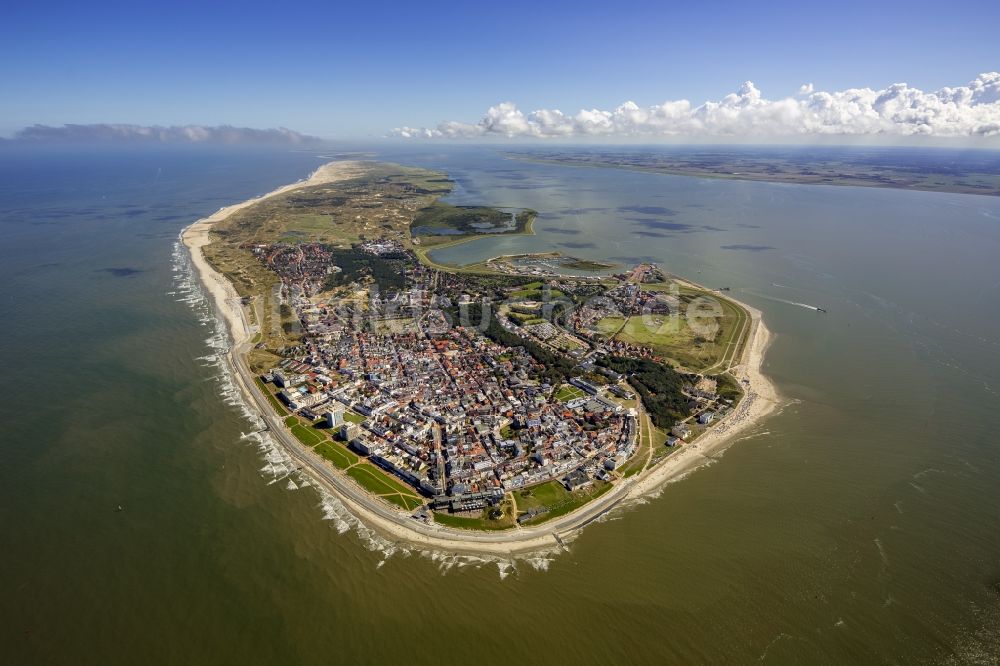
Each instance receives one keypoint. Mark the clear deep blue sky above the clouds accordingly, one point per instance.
(353, 71)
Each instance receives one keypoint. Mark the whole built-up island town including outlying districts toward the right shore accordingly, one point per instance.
(464, 419)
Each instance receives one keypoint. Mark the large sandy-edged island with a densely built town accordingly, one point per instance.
(494, 408)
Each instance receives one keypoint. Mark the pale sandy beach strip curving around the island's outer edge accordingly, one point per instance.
(760, 400)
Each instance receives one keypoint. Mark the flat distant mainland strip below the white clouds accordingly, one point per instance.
(915, 169)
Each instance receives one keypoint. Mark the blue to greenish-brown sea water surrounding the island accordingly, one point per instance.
(859, 524)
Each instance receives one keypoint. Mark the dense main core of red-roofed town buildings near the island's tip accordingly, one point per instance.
(446, 409)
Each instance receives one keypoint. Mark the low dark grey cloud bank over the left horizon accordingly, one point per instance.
(176, 134)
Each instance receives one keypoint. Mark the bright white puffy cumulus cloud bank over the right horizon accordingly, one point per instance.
(972, 110)
